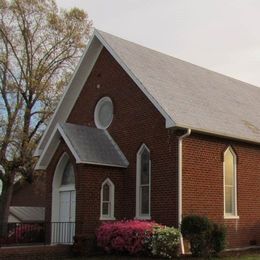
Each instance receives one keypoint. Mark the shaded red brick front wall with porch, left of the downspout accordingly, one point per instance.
(136, 121)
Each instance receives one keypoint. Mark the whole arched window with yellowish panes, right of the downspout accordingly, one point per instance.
(230, 183)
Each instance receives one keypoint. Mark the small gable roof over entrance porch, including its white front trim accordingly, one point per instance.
(88, 145)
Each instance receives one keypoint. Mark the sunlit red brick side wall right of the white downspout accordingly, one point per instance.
(203, 185)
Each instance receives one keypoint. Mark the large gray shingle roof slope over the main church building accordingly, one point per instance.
(192, 96)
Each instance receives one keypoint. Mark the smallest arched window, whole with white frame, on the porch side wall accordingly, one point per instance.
(107, 200)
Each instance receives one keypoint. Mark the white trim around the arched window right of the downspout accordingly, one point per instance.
(231, 215)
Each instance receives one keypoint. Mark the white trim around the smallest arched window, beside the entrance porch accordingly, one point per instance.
(112, 198)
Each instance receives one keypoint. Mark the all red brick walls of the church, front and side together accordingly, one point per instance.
(137, 121)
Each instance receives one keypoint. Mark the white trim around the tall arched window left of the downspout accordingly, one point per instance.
(138, 214)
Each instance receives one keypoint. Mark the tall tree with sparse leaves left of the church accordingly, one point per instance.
(39, 48)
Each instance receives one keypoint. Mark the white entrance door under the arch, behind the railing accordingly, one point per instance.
(67, 209)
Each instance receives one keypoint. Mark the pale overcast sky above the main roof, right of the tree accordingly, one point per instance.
(217, 34)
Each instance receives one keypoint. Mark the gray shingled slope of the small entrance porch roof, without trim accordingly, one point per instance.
(93, 146)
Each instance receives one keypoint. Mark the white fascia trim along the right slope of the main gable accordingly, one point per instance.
(168, 120)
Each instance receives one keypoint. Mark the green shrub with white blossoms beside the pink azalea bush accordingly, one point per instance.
(164, 241)
